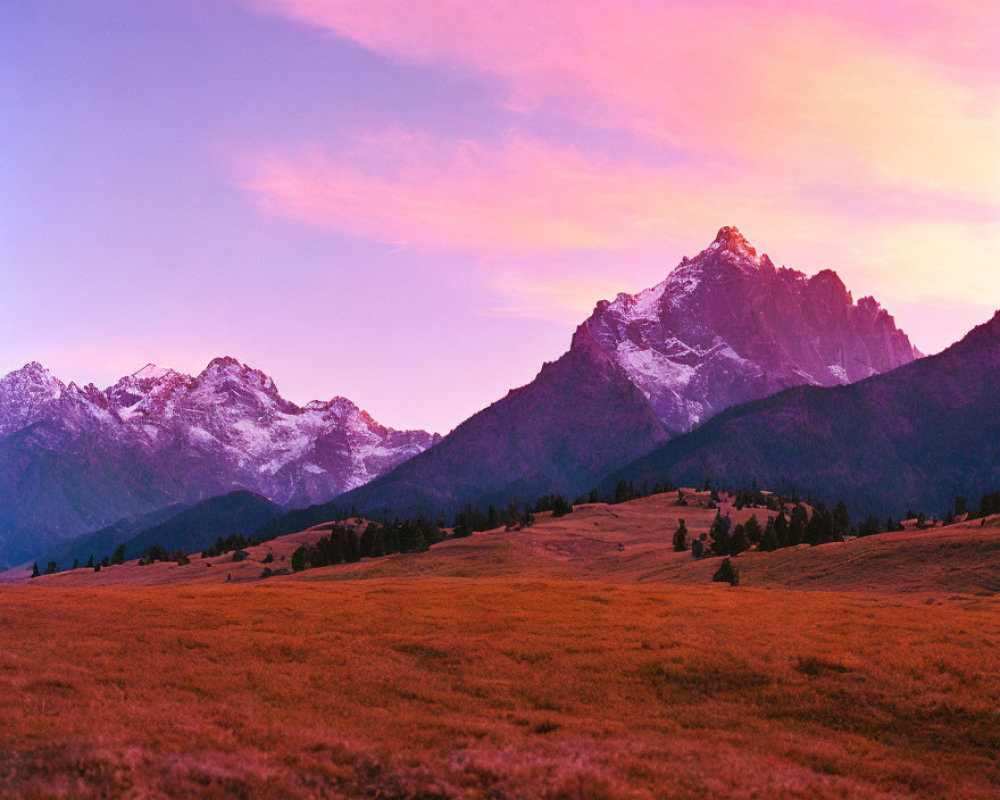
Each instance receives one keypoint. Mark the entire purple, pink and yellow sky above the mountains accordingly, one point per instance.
(413, 204)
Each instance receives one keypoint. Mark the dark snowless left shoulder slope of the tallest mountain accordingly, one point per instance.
(556, 434)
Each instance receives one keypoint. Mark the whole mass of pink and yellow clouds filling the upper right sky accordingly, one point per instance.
(816, 127)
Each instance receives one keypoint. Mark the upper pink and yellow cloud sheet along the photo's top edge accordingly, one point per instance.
(868, 91)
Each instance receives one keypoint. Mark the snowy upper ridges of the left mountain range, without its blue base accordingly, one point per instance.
(226, 427)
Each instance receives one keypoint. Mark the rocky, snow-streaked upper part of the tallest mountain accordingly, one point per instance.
(726, 327)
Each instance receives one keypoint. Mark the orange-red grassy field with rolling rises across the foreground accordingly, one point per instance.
(540, 664)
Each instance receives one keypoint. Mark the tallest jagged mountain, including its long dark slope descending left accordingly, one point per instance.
(723, 328)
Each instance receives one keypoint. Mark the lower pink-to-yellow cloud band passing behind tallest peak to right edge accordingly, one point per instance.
(528, 212)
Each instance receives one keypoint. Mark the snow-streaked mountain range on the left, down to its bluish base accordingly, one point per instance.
(74, 460)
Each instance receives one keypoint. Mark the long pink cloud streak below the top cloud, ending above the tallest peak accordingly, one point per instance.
(519, 197)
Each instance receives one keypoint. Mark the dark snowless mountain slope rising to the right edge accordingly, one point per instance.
(914, 437)
